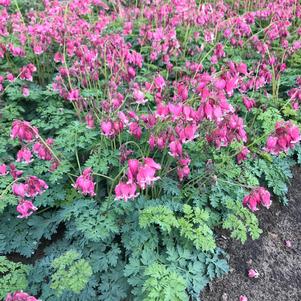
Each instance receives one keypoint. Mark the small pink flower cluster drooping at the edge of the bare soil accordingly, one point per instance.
(258, 196)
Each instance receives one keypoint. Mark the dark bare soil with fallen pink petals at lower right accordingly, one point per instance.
(279, 266)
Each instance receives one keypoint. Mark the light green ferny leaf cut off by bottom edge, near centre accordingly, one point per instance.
(163, 285)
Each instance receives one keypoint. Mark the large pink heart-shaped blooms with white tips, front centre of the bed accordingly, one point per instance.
(138, 176)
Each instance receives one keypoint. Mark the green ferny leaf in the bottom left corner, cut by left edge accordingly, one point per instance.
(13, 276)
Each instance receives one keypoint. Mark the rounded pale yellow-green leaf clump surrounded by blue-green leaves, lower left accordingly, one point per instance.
(70, 273)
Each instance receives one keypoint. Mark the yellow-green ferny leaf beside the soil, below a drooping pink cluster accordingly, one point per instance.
(241, 221)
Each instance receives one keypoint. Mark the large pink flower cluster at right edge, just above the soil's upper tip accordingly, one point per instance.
(284, 138)
